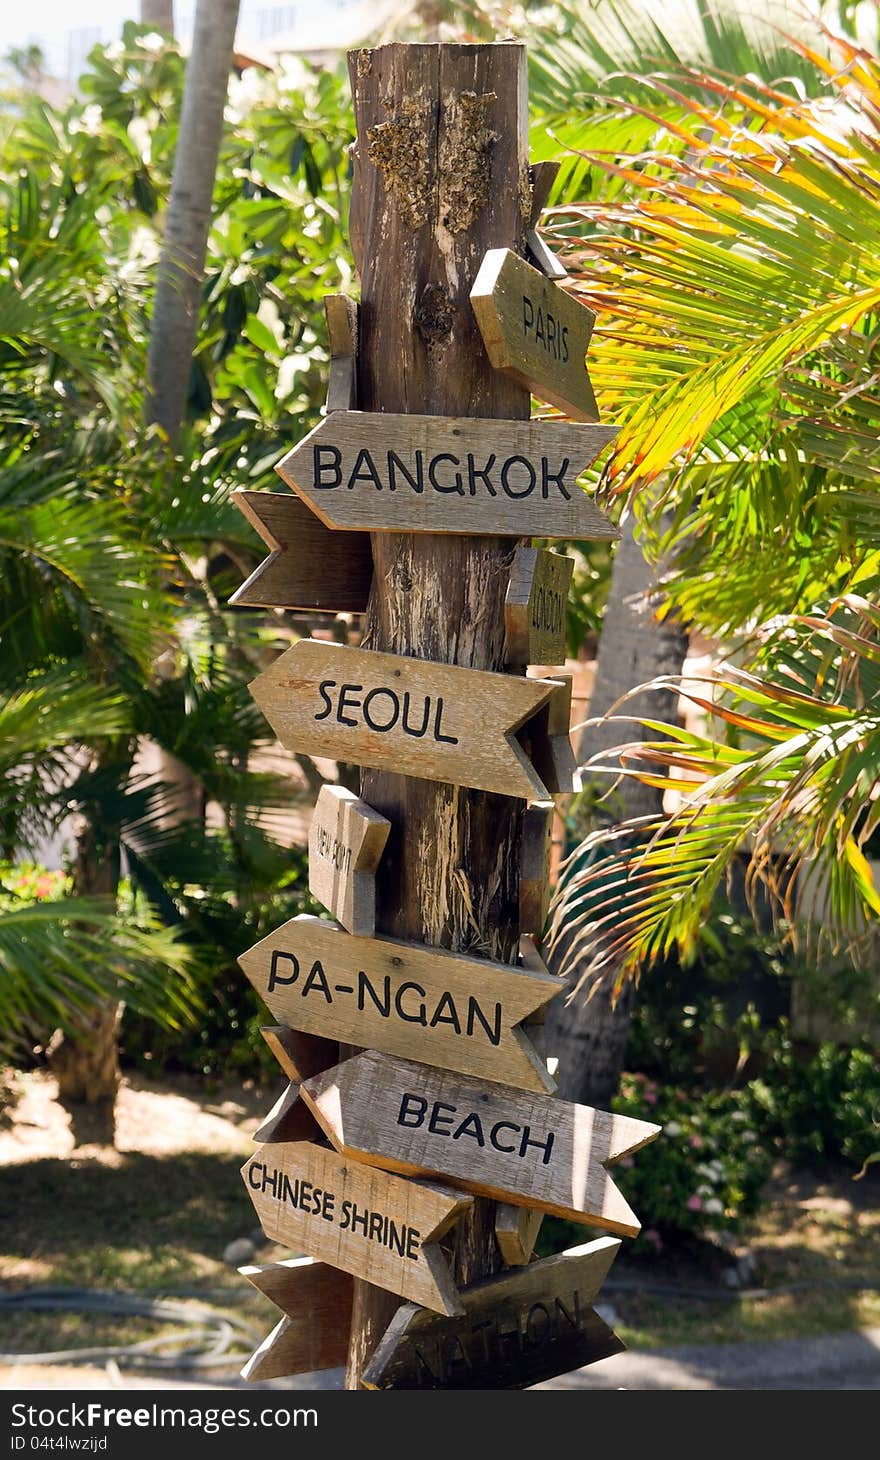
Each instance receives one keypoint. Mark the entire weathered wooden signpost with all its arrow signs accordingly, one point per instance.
(425, 970)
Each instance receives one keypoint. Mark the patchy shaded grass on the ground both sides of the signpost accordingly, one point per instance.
(160, 1223)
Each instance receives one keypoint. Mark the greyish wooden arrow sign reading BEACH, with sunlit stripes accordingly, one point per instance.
(503, 1144)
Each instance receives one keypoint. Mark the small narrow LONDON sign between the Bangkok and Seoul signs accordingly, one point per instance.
(535, 608)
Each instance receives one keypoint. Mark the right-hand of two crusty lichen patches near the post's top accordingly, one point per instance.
(465, 160)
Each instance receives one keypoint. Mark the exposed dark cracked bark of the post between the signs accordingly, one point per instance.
(441, 174)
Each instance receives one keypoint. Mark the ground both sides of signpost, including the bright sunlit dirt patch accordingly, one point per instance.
(155, 1215)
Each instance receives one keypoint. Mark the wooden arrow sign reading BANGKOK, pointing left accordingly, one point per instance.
(382, 472)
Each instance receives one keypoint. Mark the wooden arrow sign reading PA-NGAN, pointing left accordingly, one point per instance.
(424, 1004)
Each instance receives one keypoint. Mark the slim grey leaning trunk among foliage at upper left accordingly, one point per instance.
(179, 290)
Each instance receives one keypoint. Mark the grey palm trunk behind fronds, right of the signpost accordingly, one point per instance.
(590, 1036)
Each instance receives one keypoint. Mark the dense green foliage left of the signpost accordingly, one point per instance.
(116, 560)
